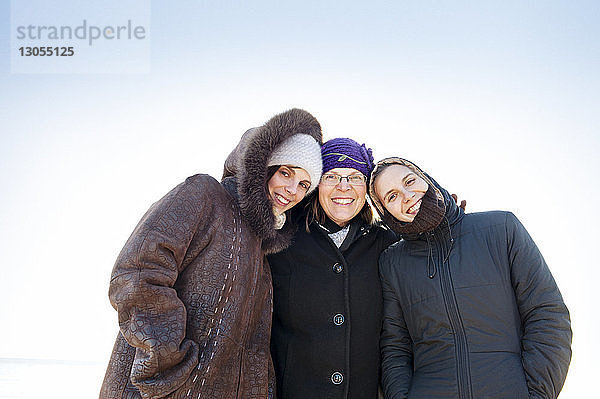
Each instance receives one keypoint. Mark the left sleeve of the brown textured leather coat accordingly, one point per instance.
(151, 316)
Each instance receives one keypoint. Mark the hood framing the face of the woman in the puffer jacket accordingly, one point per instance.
(452, 212)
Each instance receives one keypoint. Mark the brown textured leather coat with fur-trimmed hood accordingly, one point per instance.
(192, 287)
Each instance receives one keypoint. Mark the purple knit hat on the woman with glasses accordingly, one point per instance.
(347, 153)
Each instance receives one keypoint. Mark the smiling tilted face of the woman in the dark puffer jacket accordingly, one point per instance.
(400, 191)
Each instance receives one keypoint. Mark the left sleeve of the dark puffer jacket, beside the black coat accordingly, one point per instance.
(396, 344)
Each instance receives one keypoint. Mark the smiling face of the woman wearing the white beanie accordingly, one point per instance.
(287, 187)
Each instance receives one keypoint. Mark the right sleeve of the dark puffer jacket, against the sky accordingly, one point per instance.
(546, 340)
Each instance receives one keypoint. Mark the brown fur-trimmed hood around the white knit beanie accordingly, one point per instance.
(247, 164)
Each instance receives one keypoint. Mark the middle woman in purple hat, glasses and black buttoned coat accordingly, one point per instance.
(326, 288)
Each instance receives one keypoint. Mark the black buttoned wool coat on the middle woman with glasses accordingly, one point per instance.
(327, 313)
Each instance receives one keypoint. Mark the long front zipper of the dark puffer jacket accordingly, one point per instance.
(463, 372)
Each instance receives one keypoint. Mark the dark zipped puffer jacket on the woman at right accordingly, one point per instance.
(471, 310)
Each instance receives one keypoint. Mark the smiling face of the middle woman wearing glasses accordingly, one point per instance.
(342, 201)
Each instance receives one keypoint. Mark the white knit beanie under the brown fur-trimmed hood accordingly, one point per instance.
(303, 151)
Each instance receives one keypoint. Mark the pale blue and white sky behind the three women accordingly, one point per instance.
(498, 101)
